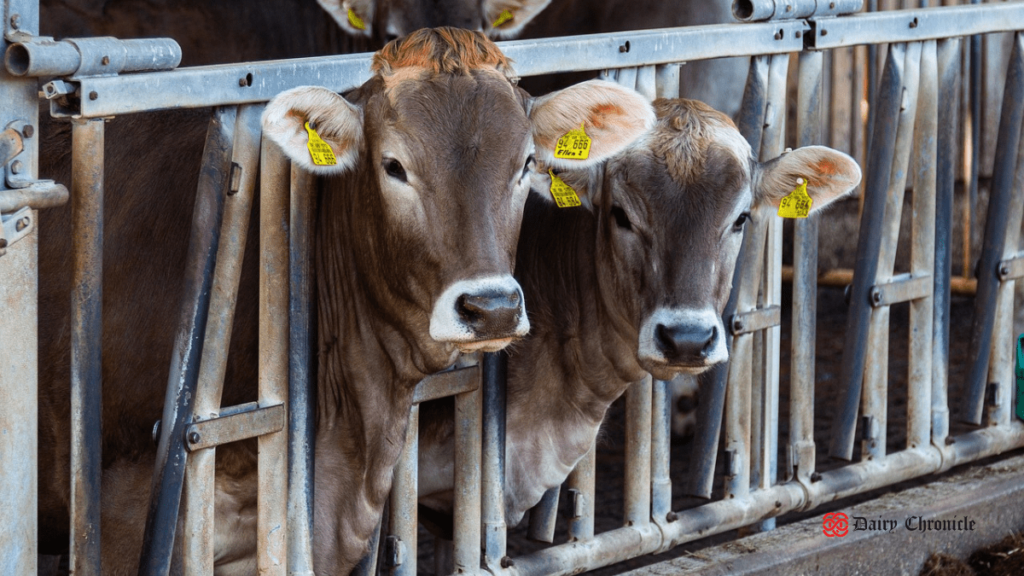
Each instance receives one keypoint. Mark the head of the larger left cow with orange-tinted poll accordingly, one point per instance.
(437, 152)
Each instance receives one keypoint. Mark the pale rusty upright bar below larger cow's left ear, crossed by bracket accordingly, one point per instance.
(272, 526)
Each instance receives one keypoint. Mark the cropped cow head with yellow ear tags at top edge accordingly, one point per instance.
(395, 19)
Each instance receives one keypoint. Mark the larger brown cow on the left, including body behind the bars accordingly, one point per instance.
(415, 249)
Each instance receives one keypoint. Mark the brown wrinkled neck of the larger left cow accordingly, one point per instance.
(365, 378)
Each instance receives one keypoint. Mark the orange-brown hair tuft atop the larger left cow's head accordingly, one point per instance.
(443, 51)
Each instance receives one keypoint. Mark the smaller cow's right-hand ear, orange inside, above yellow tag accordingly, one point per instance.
(829, 174)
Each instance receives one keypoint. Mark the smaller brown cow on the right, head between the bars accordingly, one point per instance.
(637, 285)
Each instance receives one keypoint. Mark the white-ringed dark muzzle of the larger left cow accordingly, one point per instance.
(481, 314)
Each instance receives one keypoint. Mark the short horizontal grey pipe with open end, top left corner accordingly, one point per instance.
(91, 57)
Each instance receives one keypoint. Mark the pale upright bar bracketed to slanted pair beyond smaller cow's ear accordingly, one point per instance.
(923, 251)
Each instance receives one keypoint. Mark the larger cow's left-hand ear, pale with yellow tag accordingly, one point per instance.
(334, 120)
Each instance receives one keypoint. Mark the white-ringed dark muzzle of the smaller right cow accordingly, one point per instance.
(687, 341)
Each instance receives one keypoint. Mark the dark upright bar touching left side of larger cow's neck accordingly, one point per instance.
(302, 380)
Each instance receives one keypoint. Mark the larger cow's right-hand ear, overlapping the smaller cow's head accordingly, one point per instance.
(613, 117)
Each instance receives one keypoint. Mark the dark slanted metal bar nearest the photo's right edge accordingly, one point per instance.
(996, 231)
